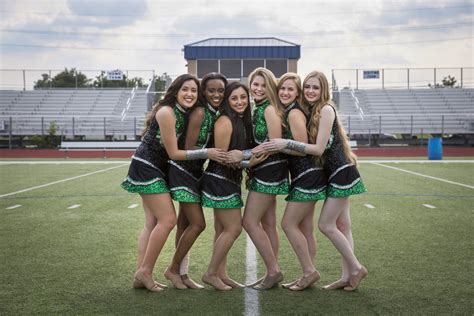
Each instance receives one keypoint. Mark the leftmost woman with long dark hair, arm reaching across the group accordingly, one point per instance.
(147, 173)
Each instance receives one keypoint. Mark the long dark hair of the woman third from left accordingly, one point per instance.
(239, 123)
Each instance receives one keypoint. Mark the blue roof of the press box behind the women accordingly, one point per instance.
(237, 48)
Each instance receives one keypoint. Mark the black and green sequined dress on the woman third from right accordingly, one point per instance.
(271, 175)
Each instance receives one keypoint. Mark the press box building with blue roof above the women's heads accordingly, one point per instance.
(237, 57)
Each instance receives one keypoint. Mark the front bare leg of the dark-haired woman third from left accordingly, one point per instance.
(231, 222)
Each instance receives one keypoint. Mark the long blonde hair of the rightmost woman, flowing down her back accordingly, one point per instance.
(316, 108)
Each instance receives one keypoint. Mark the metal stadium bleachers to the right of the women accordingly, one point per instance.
(408, 111)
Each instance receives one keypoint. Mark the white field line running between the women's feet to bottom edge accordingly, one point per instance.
(251, 295)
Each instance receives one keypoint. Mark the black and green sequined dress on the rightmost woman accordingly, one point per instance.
(343, 177)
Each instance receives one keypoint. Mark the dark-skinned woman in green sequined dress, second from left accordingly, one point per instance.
(185, 176)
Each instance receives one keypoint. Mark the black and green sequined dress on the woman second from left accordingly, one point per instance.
(185, 175)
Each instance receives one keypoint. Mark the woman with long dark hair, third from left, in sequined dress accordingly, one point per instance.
(221, 183)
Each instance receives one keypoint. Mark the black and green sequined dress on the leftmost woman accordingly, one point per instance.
(149, 167)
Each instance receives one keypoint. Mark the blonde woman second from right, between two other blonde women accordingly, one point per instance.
(308, 183)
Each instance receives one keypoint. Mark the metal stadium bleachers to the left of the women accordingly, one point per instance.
(77, 112)
